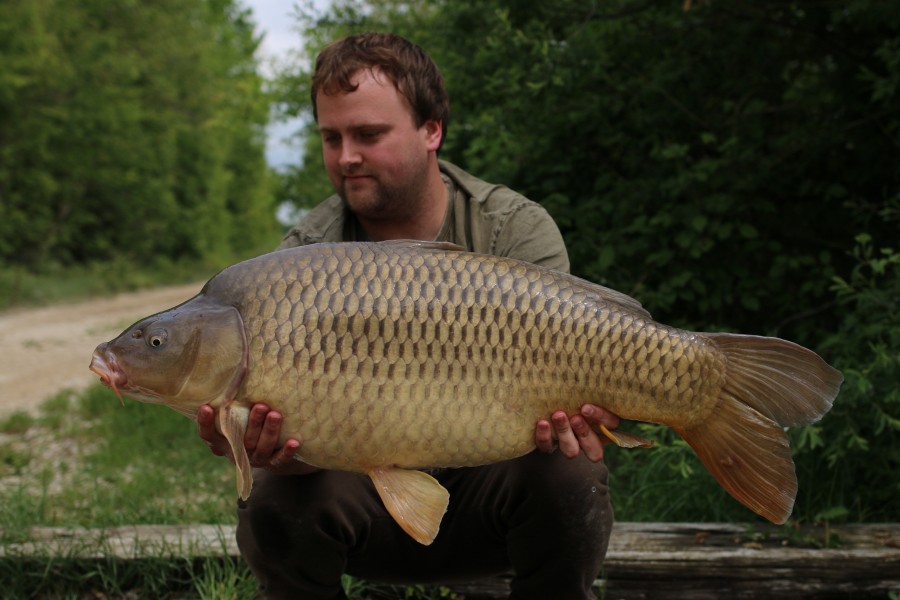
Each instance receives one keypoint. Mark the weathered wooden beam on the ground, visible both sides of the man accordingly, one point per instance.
(645, 560)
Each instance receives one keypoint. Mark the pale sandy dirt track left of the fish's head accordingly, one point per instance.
(49, 349)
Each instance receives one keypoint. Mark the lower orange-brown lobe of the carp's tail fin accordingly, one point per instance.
(749, 455)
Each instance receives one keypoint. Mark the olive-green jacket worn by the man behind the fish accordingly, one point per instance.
(481, 217)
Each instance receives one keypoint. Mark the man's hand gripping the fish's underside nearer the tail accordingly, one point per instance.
(577, 433)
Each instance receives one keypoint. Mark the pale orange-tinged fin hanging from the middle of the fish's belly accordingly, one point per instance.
(415, 499)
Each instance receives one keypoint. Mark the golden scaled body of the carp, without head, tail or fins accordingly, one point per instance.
(424, 359)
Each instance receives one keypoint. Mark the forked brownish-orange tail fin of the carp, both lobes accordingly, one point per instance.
(770, 384)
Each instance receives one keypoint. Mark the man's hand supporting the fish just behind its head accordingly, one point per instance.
(260, 440)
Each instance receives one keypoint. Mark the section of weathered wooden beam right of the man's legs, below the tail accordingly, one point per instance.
(712, 560)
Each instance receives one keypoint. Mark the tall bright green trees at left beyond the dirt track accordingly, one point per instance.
(133, 129)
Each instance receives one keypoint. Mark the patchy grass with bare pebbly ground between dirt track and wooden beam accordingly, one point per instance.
(94, 463)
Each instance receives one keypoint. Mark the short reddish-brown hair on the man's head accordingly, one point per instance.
(407, 65)
